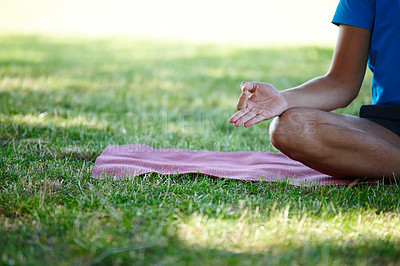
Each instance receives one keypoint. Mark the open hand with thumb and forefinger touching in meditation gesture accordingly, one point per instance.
(265, 103)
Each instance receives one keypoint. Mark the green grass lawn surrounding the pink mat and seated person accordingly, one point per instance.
(63, 100)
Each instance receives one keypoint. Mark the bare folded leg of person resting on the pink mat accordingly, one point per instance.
(338, 145)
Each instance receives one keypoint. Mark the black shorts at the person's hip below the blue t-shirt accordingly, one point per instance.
(387, 116)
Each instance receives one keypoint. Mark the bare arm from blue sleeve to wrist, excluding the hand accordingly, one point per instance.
(340, 86)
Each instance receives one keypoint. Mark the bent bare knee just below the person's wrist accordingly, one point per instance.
(293, 130)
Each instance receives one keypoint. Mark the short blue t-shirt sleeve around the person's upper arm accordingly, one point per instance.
(358, 13)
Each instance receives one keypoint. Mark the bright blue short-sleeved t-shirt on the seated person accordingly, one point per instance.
(382, 17)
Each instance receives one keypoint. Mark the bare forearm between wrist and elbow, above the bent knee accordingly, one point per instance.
(324, 93)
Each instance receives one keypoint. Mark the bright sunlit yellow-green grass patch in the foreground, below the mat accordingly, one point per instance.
(283, 232)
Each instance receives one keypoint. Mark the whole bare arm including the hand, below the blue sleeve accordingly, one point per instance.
(338, 88)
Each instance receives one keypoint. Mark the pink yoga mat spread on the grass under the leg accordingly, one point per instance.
(128, 161)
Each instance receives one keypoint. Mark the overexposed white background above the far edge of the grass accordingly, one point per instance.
(244, 22)
